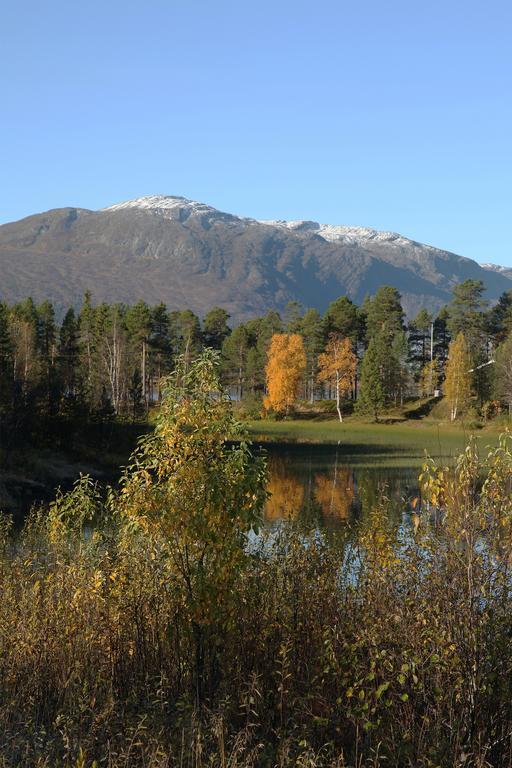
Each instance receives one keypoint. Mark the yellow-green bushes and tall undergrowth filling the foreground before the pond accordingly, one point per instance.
(140, 628)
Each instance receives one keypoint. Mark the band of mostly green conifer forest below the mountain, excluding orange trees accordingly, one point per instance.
(108, 360)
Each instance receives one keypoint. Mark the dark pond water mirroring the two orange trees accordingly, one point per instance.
(323, 488)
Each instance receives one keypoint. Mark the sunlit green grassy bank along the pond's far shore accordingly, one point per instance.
(406, 438)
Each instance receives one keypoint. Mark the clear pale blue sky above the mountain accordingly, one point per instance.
(395, 114)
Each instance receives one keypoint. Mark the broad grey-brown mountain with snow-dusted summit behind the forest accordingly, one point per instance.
(187, 254)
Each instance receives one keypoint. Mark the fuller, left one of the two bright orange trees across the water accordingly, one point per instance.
(285, 368)
